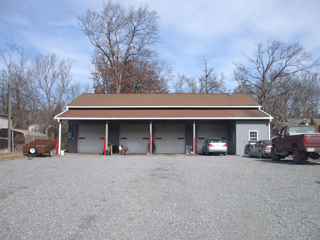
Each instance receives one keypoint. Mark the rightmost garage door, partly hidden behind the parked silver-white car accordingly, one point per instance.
(205, 131)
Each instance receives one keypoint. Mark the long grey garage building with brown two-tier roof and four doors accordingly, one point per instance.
(172, 122)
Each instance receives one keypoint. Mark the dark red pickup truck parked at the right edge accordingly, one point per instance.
(300, 141)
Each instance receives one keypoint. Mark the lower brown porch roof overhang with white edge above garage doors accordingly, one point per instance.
(163, 114)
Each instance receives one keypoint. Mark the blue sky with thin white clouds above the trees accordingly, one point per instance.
(189, 29)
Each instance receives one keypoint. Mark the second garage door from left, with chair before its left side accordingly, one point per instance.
(135, 137)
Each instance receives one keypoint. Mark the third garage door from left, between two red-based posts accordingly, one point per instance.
(169, 138)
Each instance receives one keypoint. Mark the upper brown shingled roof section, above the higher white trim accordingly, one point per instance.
(235, 99)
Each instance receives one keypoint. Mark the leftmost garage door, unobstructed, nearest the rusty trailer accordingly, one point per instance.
(91, 138)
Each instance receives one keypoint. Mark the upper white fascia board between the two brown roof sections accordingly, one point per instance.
(119, 107)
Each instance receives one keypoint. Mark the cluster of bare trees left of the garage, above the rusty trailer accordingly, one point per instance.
(40, 85)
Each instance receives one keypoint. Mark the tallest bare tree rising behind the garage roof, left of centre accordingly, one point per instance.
(121, 36)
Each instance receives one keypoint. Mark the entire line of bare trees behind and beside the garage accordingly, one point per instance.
(282, 77)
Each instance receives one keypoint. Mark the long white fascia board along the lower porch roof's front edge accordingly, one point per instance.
(172, 118)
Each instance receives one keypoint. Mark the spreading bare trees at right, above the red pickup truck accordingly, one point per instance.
(283, 78)
